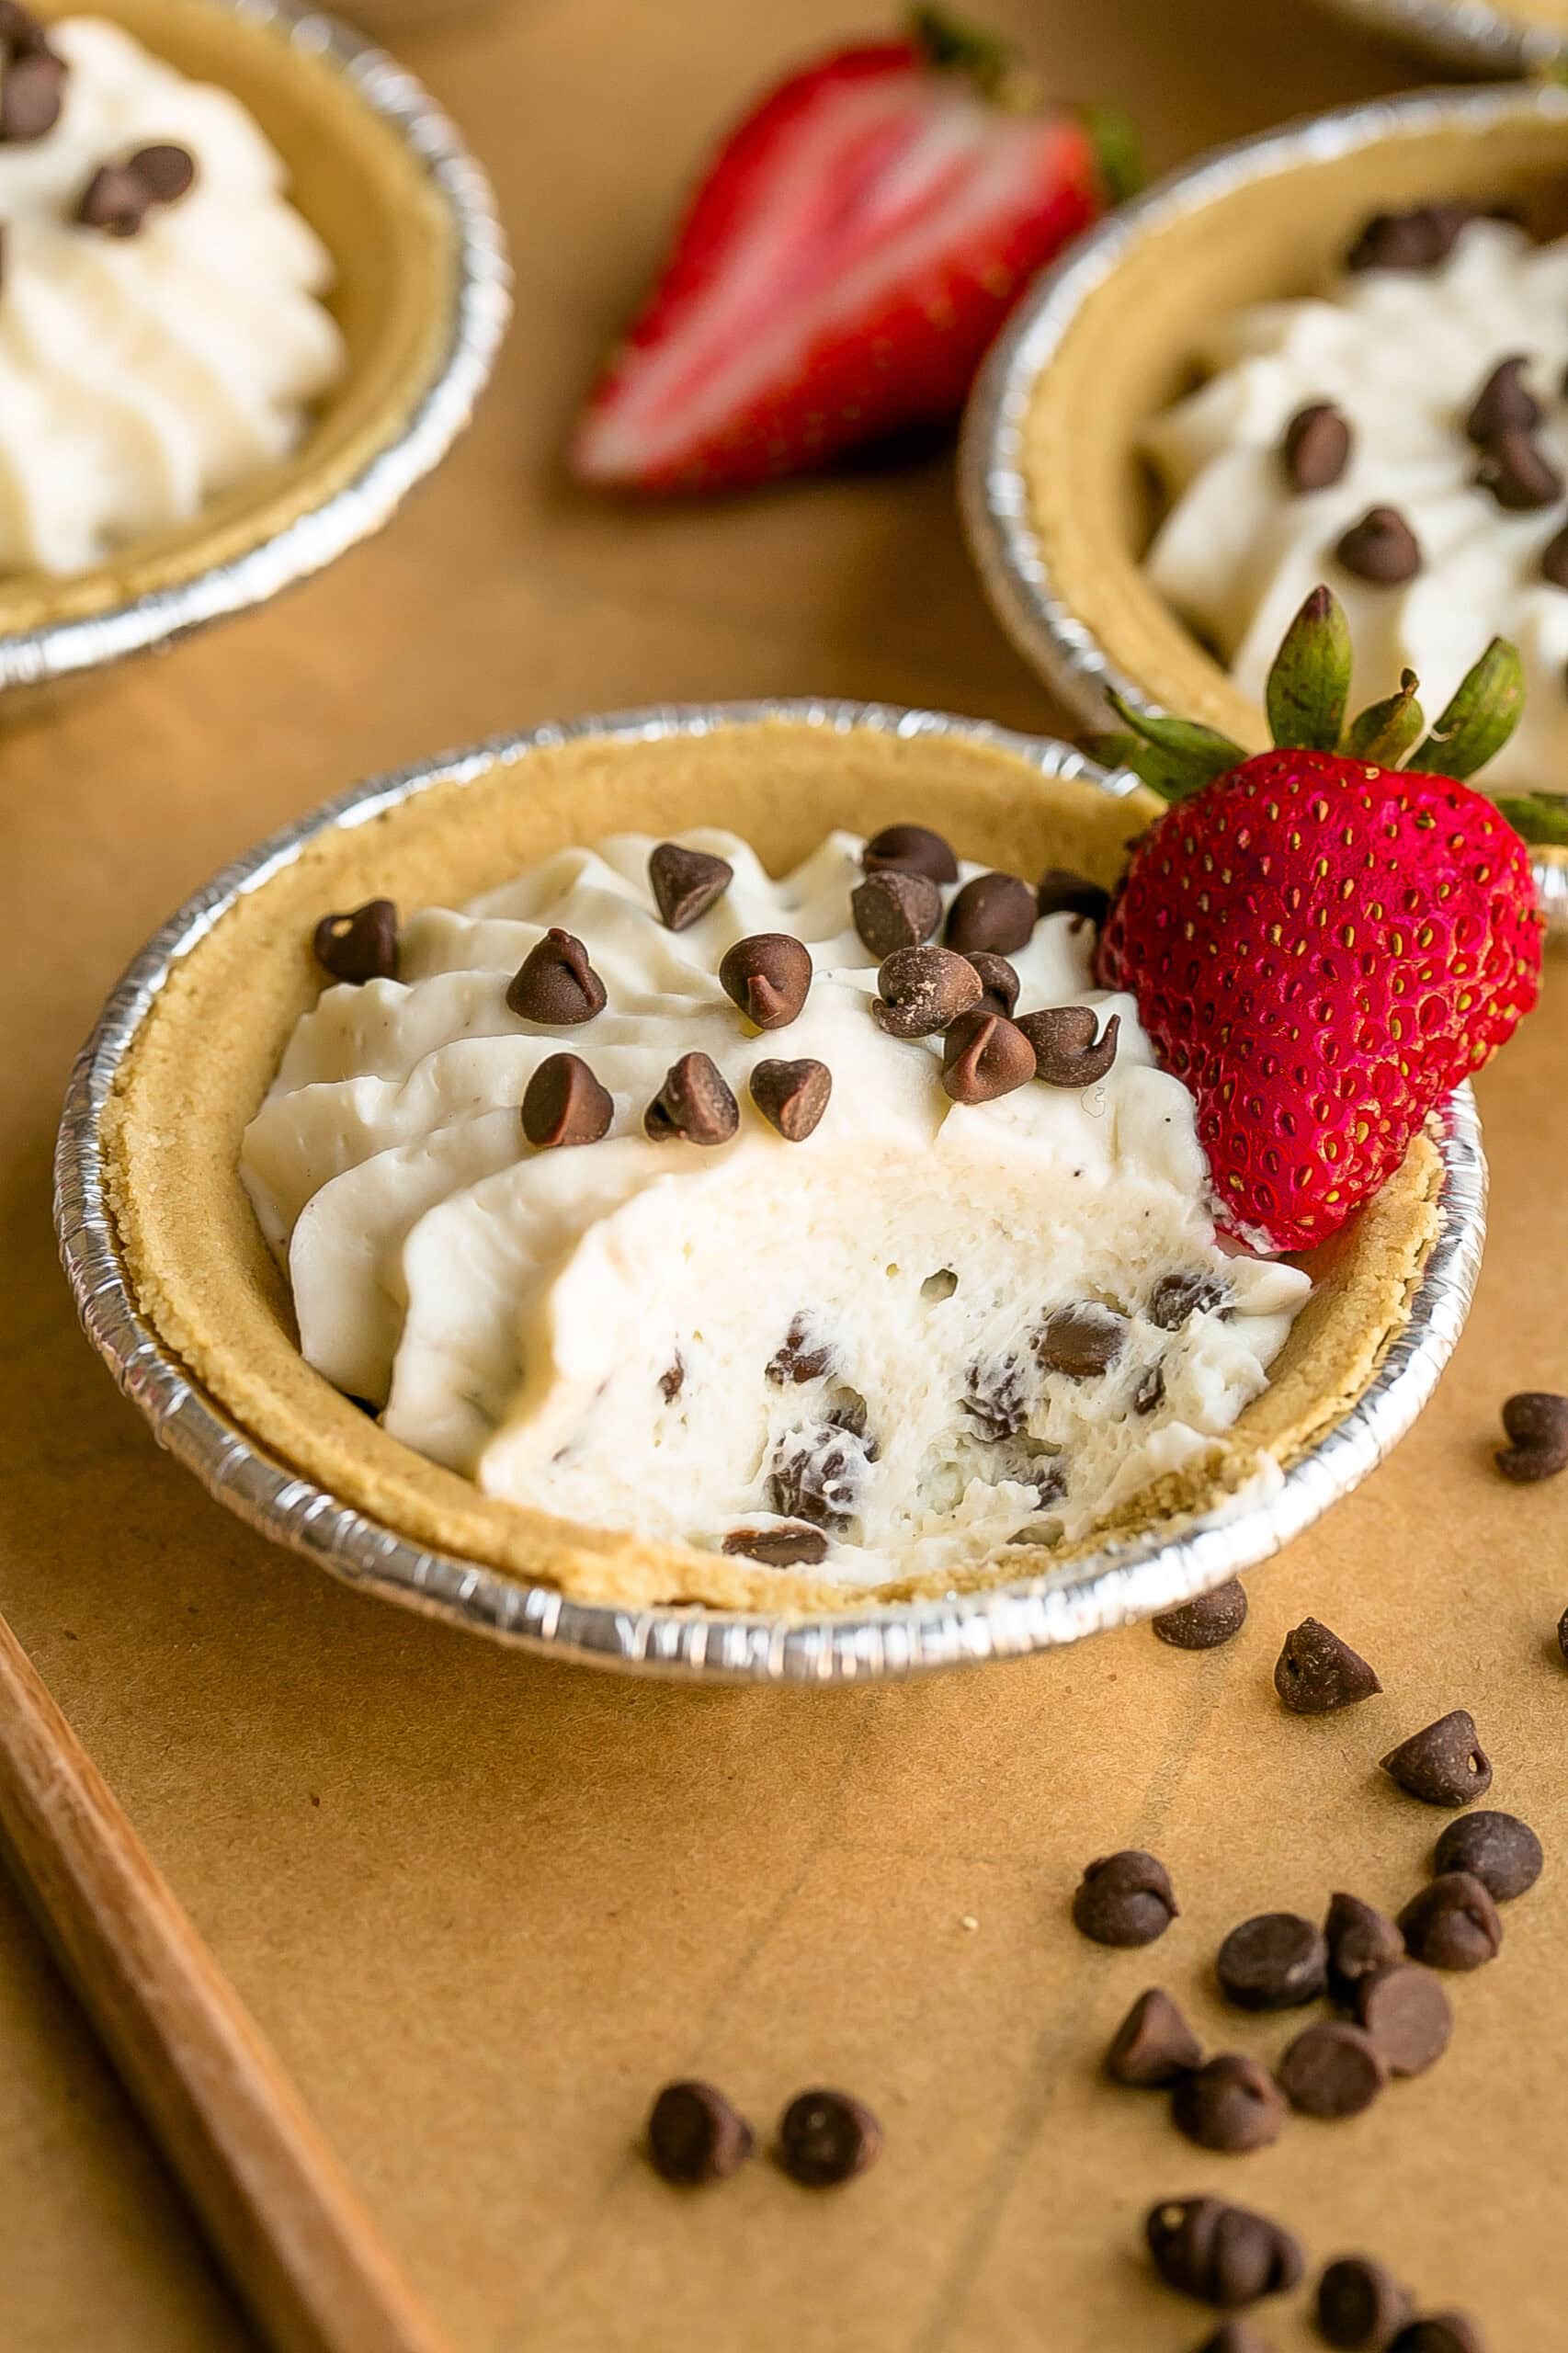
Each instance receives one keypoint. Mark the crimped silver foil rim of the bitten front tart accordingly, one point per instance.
(1124, 1580)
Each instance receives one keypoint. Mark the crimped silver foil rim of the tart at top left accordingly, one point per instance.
(479, 316)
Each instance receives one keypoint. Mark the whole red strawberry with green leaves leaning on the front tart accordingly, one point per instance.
(1324, 942)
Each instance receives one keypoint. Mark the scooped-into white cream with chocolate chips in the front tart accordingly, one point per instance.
(924, 1333)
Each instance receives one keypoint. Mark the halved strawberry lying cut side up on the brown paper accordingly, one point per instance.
(846, 262)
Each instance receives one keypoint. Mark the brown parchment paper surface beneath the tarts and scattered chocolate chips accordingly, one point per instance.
(486, 1907)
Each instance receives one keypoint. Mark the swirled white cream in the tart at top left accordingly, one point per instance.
(159, 340)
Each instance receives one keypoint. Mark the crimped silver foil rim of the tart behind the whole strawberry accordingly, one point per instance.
(992, 486)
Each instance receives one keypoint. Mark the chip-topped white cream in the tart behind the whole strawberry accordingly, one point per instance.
(1376, 439)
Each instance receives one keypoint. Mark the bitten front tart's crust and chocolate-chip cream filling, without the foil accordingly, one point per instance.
(540, 1237)
